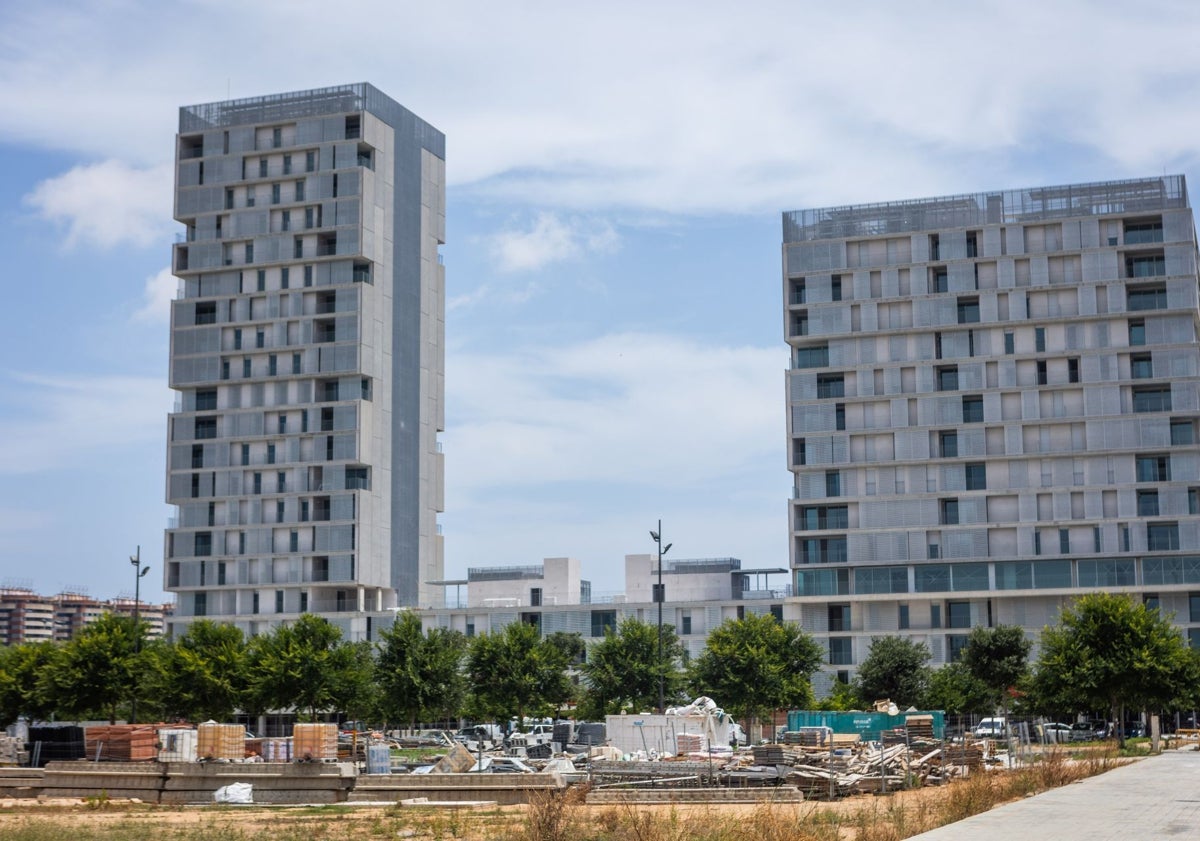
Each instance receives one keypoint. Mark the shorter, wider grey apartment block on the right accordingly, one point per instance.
(992, 410)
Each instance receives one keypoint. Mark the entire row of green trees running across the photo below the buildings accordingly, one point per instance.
(1107, 653)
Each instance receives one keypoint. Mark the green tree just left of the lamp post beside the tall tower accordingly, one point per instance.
(97, 672)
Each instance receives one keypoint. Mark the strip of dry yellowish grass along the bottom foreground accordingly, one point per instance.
(566, 818)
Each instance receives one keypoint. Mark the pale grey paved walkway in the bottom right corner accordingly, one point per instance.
(1153, 798)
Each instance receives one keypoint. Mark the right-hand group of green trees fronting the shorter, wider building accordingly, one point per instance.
(1108, 653)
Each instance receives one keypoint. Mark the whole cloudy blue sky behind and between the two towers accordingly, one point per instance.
(616, 179)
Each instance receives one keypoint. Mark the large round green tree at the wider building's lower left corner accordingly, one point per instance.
(757, 665)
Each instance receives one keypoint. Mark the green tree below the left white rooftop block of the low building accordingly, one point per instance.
(517, 674)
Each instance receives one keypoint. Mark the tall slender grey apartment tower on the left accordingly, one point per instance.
(307, 351)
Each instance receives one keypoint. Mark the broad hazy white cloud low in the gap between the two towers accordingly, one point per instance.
(639, 409)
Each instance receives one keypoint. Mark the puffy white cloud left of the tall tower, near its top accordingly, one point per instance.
(109, 205)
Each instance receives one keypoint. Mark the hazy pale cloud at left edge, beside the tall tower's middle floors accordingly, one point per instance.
(50, 423)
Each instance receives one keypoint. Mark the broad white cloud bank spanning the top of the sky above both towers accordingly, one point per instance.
(765, 107)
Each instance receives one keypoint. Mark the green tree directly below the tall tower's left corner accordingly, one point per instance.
(201, 676)
